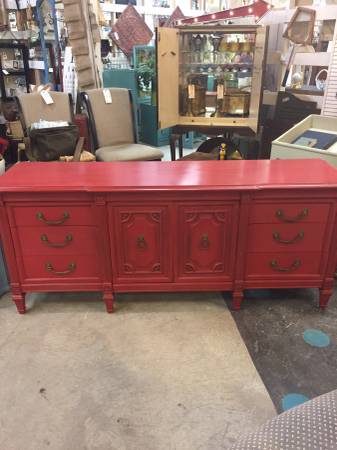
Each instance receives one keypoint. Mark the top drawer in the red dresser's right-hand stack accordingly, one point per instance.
(289, 213)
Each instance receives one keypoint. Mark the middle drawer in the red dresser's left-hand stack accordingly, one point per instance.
(58, 240)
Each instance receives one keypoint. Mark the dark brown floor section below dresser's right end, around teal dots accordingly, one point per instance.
(272, 323)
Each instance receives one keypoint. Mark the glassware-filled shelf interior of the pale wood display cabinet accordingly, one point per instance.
(215, 73)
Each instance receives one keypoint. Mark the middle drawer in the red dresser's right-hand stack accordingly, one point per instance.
(286, 237)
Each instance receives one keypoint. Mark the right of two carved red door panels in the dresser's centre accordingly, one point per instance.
(207, 241)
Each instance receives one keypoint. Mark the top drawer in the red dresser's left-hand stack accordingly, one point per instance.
(41, 216)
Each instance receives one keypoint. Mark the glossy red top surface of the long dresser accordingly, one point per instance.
(179, 175)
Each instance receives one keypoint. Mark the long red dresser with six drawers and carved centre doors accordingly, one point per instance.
(169, 226)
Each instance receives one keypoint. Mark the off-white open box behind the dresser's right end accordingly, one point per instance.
(282, 147)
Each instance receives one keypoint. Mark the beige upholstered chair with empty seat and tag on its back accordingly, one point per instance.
(113, 127)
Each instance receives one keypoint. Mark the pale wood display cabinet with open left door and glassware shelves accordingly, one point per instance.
(210, 75)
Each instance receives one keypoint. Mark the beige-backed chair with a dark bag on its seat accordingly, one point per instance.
(32, 108)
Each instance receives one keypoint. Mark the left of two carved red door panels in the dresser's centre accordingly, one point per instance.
(141, 243)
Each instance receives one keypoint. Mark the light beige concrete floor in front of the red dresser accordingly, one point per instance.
(166, 371)
